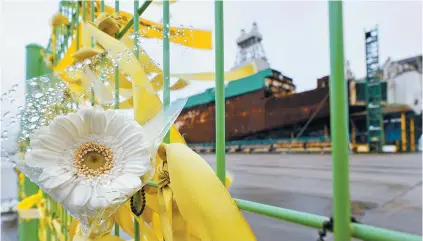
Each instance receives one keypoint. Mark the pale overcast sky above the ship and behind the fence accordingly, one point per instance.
(295, 34)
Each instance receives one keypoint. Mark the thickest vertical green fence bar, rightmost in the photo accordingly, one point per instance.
(339, 125)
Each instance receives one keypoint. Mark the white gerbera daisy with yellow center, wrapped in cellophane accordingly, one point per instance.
(90, 160)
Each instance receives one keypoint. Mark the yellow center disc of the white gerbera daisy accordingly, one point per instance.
(93, 159)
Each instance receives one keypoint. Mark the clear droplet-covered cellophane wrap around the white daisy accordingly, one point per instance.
(90, 159)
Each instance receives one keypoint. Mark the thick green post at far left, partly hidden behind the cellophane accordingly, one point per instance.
(28, 229)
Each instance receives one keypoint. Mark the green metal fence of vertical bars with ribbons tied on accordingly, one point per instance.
(344, 229)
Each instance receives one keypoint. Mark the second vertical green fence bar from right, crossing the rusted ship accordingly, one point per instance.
(220, 92)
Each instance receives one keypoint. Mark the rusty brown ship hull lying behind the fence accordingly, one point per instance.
(252, 113)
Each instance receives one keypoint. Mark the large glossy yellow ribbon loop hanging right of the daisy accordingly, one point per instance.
(196, 190)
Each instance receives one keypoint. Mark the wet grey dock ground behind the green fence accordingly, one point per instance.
(386, 190)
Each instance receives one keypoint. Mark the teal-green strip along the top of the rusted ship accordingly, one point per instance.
(233, 88)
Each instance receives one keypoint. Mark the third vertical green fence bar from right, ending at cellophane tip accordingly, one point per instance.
(166, 61)
